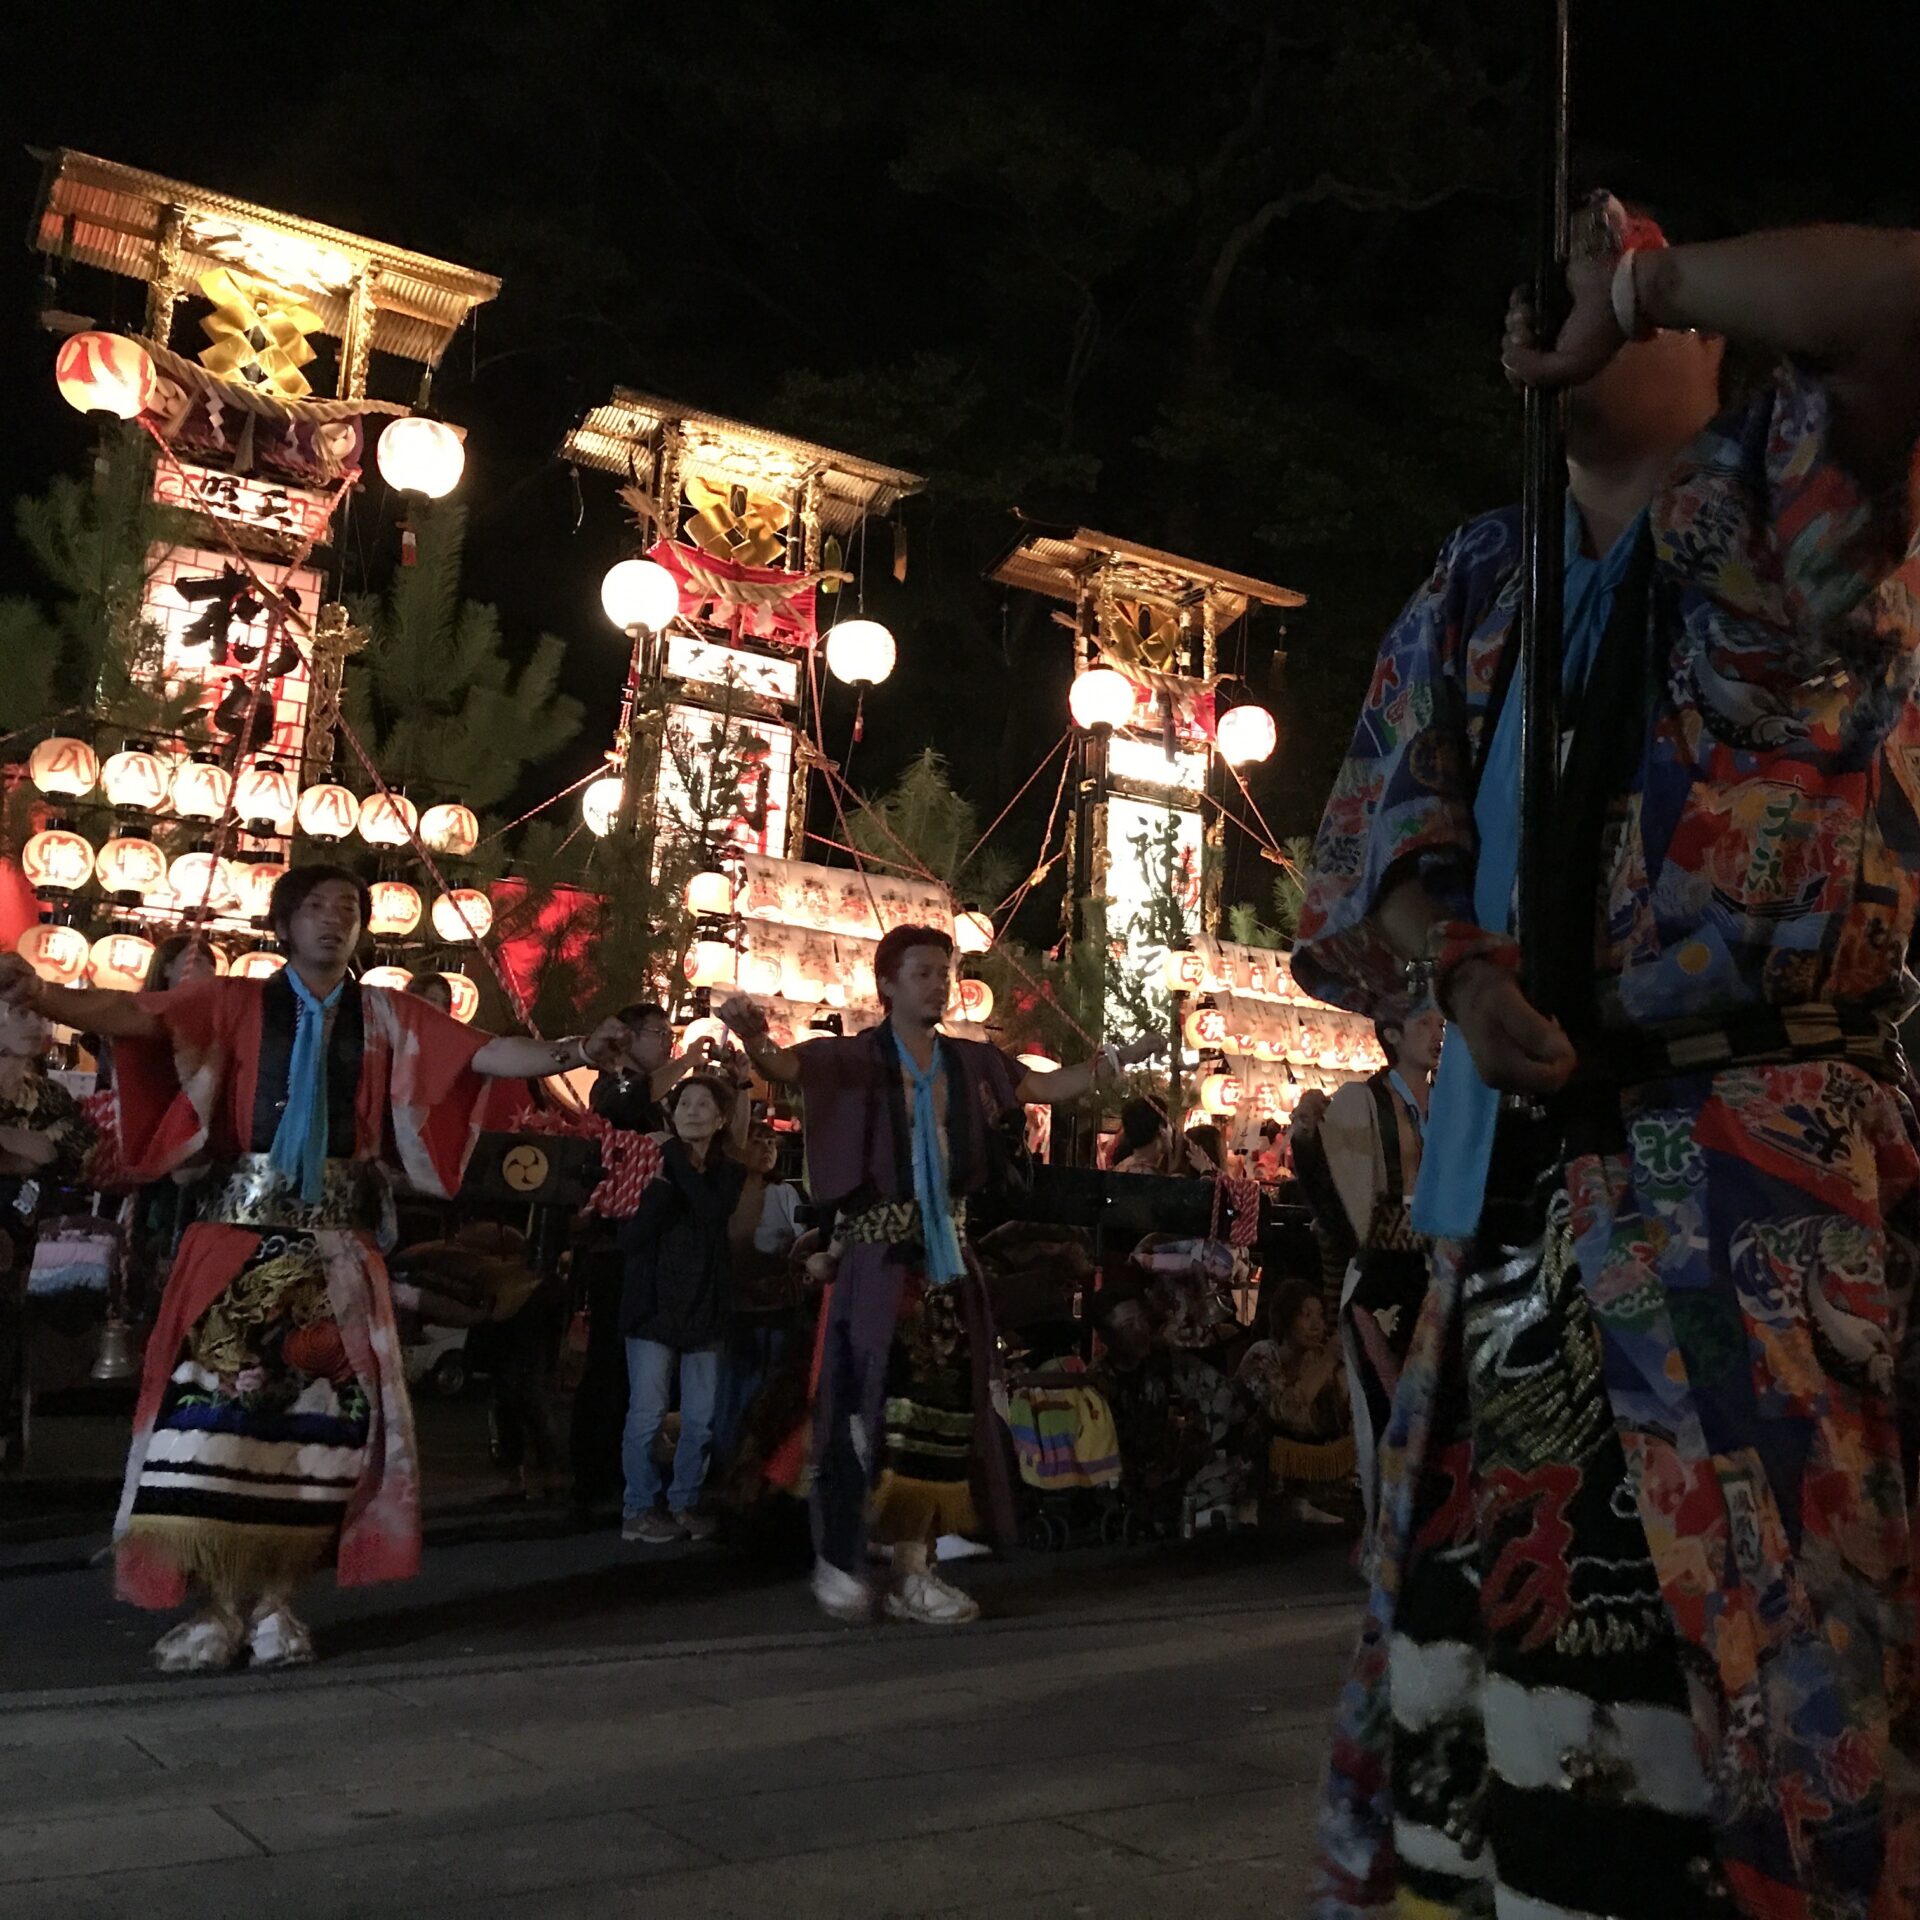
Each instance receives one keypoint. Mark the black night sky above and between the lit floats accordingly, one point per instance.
(1015, 247)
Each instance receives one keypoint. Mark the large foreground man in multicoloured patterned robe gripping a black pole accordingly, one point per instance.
(1644, 1618)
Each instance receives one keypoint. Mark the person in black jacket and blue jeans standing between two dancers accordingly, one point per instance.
(677, 1307)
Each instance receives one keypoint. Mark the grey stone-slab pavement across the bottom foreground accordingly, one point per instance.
(1109, 1764)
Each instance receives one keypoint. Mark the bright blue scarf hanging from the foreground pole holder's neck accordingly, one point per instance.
(1464, 1109)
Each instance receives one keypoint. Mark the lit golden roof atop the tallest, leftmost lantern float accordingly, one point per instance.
(103, 214)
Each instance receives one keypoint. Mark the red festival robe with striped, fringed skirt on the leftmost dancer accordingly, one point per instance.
(274, 1429)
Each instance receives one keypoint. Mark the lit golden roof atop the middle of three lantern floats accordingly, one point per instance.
(734, 452)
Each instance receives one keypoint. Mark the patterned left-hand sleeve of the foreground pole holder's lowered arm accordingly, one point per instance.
(1403, 800)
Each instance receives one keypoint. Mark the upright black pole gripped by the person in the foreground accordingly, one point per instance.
(1545, 506)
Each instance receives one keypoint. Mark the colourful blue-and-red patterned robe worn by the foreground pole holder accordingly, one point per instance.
(1643, 1633)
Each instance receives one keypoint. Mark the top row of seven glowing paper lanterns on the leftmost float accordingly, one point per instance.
(141, 780)
